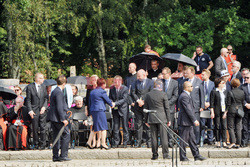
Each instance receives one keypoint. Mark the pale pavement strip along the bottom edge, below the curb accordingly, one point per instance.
(128, 162)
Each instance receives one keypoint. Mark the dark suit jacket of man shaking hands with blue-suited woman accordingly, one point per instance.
(120, 99)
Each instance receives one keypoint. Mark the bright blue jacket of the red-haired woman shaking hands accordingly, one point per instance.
(98, 98)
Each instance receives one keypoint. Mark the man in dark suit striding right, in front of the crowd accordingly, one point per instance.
(186, 121)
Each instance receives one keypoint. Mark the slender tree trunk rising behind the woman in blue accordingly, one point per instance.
(101, 49)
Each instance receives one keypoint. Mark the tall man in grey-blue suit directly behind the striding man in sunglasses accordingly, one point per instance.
(198, 98)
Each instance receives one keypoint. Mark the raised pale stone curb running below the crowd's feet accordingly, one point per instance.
(119, 153)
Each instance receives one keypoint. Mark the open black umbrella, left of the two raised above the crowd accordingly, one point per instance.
(143, 60)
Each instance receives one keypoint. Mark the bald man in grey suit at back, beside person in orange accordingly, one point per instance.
(220, 62)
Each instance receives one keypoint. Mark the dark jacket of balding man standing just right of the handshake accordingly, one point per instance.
(138, 93)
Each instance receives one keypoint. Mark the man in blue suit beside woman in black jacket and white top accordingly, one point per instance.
(208, 86)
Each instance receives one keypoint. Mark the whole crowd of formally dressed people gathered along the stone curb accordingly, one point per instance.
(187, 101)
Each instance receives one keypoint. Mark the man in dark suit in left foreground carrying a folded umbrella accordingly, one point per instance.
(58, 116)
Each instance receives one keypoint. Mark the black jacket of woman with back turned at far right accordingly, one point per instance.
(239, 97)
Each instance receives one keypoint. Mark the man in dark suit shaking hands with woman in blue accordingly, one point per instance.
(119, 95)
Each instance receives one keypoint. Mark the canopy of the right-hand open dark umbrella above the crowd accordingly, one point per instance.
(179, 58)
